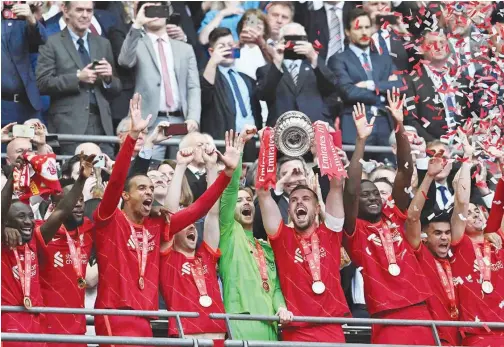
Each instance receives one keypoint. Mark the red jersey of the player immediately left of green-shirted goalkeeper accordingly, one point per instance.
(181, 294)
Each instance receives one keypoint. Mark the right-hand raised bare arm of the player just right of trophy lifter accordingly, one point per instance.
(404, 159)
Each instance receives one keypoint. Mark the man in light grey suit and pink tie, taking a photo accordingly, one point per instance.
(166, 74)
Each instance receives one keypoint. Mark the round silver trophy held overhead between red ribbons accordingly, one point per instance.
(294, 133)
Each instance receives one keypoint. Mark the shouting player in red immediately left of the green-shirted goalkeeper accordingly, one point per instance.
(188, 276)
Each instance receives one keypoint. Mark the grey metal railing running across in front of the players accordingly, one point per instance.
(182, 341)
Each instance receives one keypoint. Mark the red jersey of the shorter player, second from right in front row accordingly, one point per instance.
(438, 304)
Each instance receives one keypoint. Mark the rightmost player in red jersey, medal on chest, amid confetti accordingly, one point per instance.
(478, 273)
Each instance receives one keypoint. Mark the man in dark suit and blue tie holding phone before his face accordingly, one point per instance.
(229, 99)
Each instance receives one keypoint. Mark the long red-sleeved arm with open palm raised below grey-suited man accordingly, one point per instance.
(115, 187)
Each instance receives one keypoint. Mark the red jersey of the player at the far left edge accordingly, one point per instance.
(12, 293)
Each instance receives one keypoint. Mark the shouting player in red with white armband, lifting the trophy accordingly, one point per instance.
(306, 256)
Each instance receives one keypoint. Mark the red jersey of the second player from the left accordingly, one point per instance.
(58, 279)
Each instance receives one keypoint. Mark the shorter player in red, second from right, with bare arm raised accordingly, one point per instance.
(433, 254)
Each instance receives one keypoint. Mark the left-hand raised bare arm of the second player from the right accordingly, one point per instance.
(413, 222)
